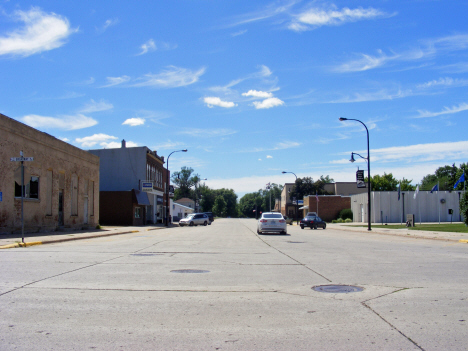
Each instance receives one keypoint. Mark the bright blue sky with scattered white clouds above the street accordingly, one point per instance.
(250, 88)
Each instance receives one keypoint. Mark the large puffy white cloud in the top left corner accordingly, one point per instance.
(41, 32)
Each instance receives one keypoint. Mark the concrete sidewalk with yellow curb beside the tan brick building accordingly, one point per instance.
(8, 241)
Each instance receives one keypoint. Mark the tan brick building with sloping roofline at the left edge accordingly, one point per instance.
(61, 184)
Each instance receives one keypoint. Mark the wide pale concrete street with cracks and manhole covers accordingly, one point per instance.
(223, 287)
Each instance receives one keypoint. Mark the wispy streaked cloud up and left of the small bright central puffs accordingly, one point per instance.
(172, 77)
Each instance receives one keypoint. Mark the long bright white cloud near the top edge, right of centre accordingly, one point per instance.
(315, 17)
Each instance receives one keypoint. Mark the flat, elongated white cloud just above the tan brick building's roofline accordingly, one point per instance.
(74, 122)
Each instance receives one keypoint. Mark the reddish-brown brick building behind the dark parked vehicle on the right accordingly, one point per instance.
(328, 207)
